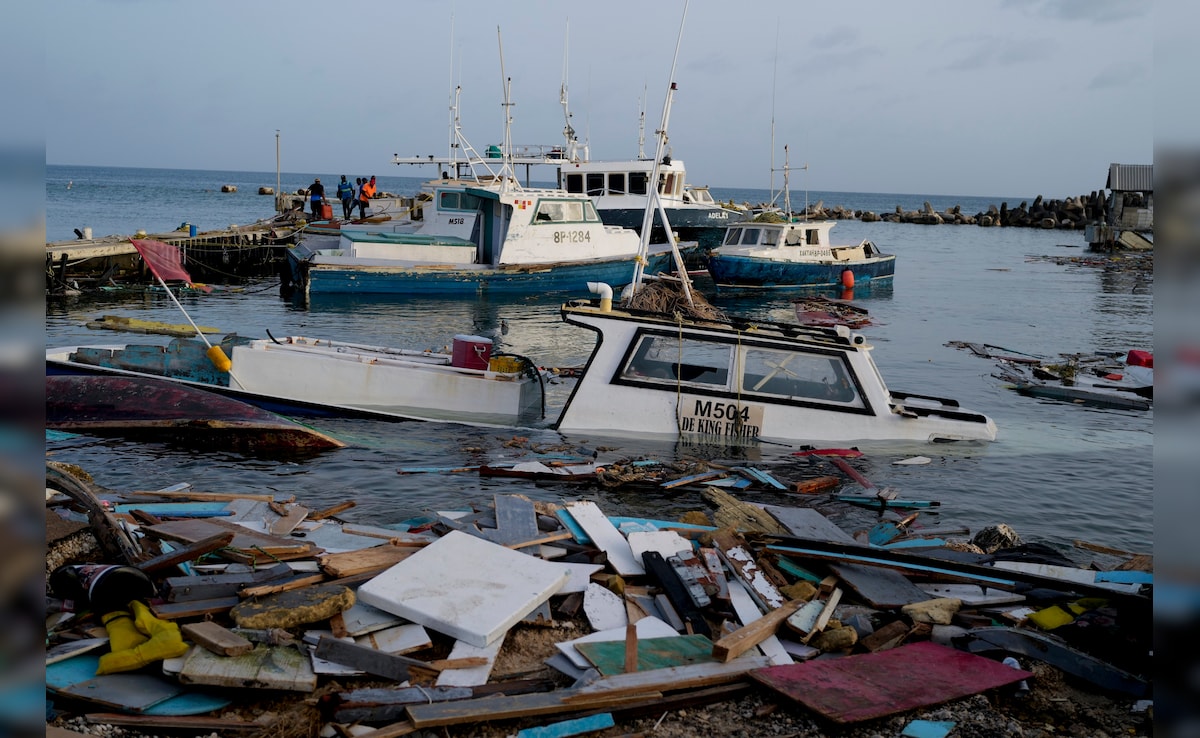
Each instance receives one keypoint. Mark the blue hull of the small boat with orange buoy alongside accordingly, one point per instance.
(754, 273)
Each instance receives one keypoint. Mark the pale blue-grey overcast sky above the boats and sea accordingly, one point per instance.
(991, 98)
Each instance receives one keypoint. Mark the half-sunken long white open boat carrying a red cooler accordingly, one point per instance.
(308, 377)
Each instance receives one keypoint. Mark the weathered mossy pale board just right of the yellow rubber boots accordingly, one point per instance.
(266, 668)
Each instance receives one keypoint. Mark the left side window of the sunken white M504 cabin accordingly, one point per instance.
(671, 362)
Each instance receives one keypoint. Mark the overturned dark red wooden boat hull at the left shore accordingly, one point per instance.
(158, 410)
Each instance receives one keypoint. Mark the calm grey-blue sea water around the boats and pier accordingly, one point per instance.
(1058, 472)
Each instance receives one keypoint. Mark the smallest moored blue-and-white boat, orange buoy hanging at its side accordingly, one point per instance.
(782, 251)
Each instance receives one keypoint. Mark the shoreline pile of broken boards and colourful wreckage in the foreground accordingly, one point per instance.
(526, 614)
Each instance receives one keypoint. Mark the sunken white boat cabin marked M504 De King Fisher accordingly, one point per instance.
(736, 381)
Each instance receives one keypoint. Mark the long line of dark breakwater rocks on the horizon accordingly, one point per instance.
(1067, 214)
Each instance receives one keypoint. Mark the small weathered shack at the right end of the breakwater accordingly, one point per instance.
(1129, 219)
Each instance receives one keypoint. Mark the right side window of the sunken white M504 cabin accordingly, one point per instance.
(799, 376)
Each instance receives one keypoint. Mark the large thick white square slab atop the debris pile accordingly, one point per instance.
(465, 587)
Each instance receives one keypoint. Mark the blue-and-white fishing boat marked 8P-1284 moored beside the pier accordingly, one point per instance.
(477, 238)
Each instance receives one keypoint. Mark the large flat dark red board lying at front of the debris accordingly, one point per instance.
(873, 686)
